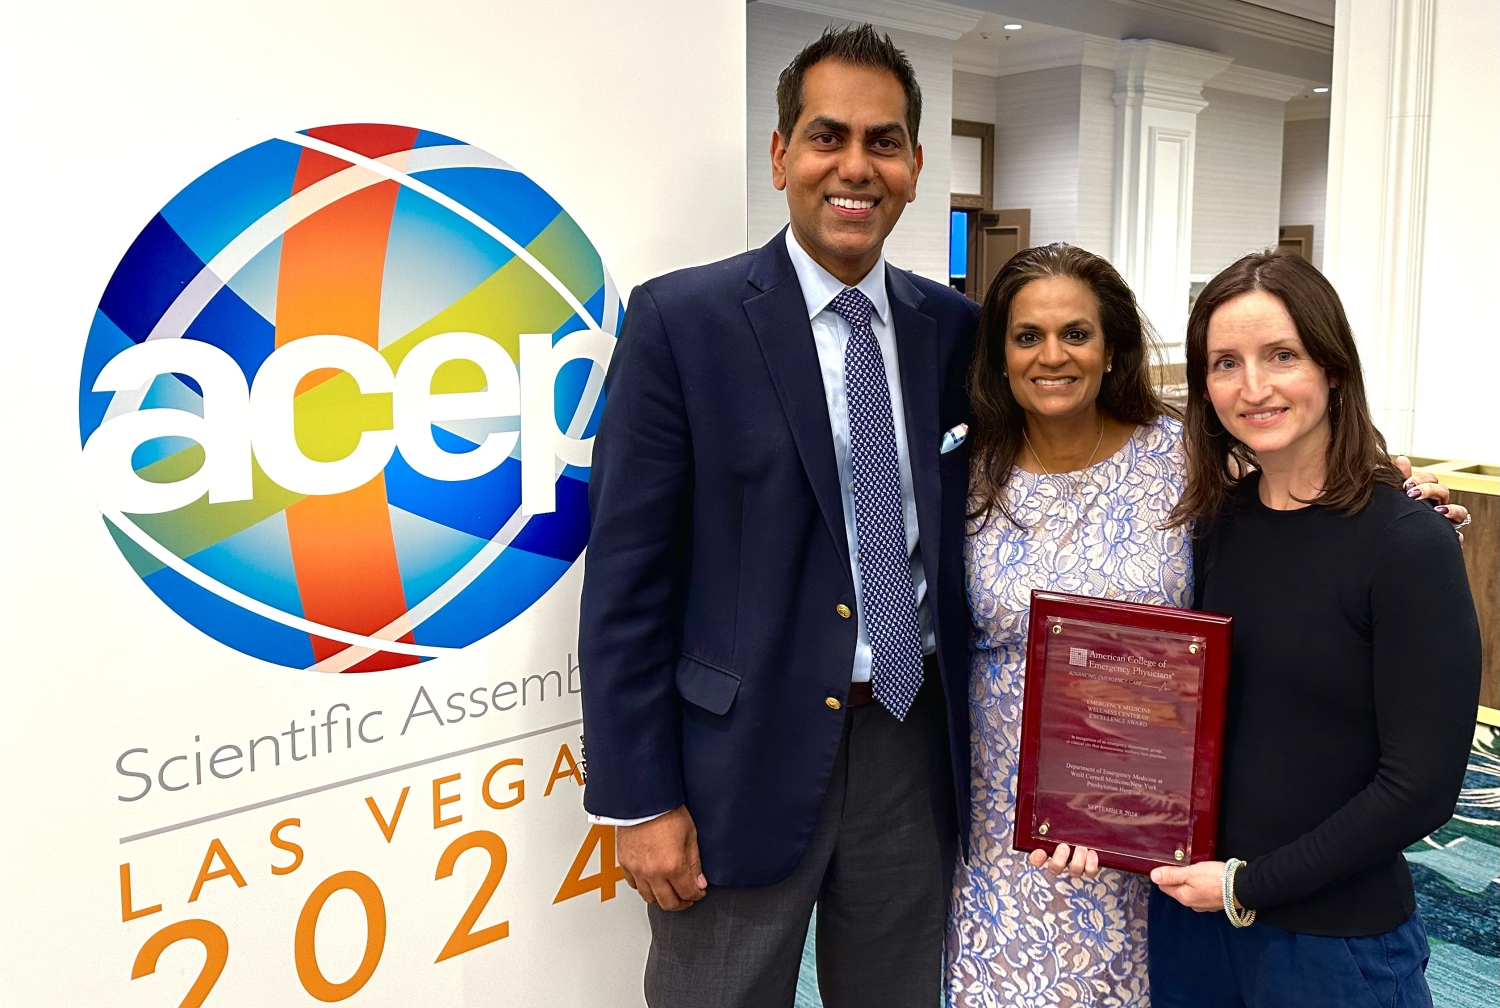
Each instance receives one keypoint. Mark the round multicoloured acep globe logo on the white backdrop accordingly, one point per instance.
(340, 397)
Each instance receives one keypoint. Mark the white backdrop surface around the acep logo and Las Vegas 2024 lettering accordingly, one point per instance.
(632, 116)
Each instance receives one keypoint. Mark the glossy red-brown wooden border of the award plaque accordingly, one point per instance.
(1208, 739)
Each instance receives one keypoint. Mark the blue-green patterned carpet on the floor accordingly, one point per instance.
(1457, 874)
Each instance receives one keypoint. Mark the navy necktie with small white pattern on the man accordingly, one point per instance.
(886, 577)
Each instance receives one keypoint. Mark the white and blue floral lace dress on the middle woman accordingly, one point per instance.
(1018, 937)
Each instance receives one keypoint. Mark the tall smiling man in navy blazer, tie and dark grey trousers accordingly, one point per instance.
(775, 629)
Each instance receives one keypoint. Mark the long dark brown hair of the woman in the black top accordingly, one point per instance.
(1357, 451)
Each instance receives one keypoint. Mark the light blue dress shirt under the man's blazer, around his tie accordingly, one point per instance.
(830, 337)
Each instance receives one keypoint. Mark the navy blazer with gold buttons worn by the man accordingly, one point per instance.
(710, 637)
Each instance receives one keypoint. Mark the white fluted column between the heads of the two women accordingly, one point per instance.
(1159, 94)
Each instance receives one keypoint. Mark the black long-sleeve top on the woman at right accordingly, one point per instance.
(1354, 686)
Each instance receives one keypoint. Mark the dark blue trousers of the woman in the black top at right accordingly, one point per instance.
(1201, 961)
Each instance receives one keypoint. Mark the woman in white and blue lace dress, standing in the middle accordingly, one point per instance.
(1076, 464)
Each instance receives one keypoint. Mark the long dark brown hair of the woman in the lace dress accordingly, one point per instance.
(1127, 392)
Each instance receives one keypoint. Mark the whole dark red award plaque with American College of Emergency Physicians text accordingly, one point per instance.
(1123, 731)
